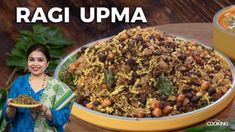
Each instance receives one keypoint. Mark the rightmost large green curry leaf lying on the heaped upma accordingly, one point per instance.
(165, 86)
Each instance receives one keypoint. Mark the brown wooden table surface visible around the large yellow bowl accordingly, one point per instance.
(201, 32)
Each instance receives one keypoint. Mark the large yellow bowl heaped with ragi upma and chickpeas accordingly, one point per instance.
(145, 80)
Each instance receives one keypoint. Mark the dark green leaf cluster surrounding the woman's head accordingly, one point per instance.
(49, 36)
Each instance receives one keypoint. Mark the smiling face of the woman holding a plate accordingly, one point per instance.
(37, 63)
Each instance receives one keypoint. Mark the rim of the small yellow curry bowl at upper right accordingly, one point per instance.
(216, 23)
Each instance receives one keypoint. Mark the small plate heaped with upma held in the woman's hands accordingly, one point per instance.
(24, 101)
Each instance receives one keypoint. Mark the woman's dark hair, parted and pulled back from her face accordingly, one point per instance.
(39, 47)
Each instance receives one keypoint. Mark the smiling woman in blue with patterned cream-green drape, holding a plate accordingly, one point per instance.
(53, 95)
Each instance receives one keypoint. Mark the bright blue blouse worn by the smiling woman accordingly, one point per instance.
(23, 122)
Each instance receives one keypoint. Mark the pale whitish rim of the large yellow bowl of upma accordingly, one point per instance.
(57, 71)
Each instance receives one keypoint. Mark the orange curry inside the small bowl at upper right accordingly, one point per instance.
(227, 21)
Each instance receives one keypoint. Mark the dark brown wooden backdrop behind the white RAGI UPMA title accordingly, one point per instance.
(157, 12)
